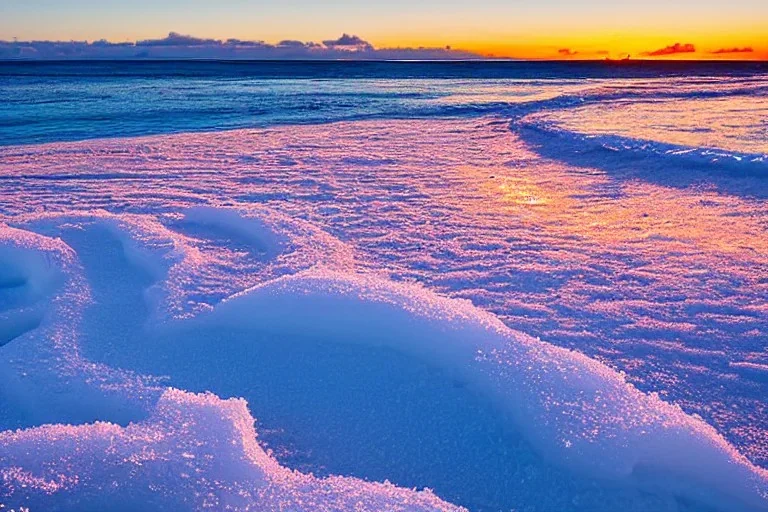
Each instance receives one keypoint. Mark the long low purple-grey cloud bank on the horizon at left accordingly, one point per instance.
(179, 46)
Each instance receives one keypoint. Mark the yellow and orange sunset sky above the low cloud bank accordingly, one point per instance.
(502, 28)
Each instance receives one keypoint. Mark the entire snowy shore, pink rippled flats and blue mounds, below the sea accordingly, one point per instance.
(147, 319)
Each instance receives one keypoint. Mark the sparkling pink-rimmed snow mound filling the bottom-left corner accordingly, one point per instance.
(195, 452)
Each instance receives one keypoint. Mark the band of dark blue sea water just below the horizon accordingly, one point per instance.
(59, 101)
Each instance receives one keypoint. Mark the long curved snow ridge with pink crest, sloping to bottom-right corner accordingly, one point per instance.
(575, 411)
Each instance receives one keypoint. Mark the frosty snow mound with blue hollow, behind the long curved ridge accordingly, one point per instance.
(189, 273)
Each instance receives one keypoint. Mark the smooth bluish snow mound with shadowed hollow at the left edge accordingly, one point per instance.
(45, 378)
